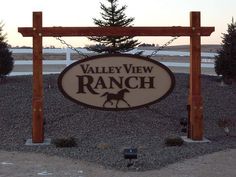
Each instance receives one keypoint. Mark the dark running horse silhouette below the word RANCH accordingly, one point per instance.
(118, 97)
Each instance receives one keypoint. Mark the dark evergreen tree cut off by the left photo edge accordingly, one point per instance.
(6, 59)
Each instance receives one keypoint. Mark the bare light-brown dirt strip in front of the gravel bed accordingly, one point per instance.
(15, 164)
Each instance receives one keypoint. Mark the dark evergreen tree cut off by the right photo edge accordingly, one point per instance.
(225, 61)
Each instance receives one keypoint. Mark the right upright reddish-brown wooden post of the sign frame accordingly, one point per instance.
(195, 98)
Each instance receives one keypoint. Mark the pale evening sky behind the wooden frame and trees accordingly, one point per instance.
(75, 13)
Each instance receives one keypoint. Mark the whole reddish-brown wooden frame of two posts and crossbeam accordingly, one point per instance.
(194, 31)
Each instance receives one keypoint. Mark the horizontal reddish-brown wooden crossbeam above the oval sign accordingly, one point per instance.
(117, 31)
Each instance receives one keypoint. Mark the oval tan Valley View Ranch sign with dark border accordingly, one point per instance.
(116, 82)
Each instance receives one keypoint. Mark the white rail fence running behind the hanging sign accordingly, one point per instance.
(207, 58)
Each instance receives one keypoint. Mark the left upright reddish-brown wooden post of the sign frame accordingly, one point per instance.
(37, 127)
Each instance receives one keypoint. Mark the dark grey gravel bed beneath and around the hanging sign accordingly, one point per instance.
(101, 136)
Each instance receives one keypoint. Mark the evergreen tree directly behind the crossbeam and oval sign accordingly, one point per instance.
(115, 17)
